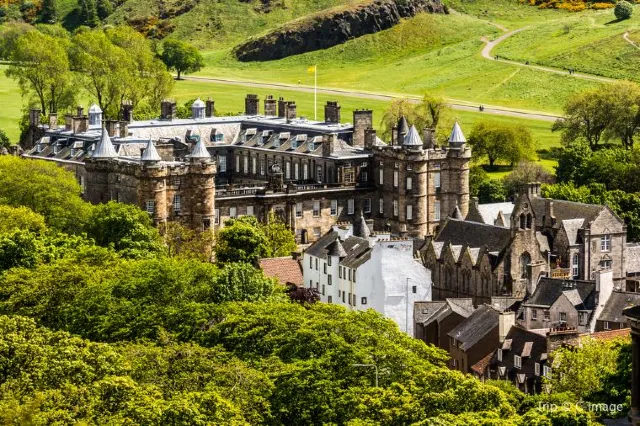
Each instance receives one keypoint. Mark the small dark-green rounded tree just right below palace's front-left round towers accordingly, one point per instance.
(241, 240)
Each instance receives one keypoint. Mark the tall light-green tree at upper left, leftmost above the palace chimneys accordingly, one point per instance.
(41, 66)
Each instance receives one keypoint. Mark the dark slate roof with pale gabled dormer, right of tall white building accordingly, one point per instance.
(548, 290)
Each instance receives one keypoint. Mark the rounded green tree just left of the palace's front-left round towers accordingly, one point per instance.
(124, 227)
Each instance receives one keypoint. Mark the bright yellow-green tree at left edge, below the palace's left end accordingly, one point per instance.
(46, 189)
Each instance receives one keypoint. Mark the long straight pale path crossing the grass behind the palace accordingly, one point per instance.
(453, 103)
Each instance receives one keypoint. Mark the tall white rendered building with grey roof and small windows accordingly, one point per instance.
(365, 271)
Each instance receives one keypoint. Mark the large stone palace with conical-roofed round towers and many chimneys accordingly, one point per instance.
(206, 169)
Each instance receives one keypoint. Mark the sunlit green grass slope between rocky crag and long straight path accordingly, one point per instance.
(428, 53)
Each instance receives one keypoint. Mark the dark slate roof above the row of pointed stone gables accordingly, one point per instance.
(474, 234)
